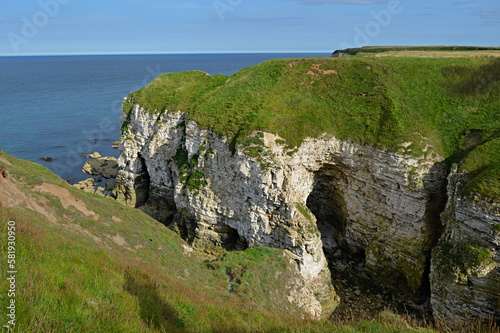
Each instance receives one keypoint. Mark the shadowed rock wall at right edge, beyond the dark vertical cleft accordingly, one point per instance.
(465, 271)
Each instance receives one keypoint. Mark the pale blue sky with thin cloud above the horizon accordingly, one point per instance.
(46, 27)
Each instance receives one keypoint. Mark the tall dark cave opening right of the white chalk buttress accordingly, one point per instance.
(359, 292)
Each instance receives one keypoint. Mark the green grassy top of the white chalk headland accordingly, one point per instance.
(416, 106)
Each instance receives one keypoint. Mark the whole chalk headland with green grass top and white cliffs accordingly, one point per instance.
(326, 156)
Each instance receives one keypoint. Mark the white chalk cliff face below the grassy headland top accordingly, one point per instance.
(326, 195)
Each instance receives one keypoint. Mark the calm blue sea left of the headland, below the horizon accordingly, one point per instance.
(65, 107)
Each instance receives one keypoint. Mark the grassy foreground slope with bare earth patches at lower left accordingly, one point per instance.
(125, 272)
